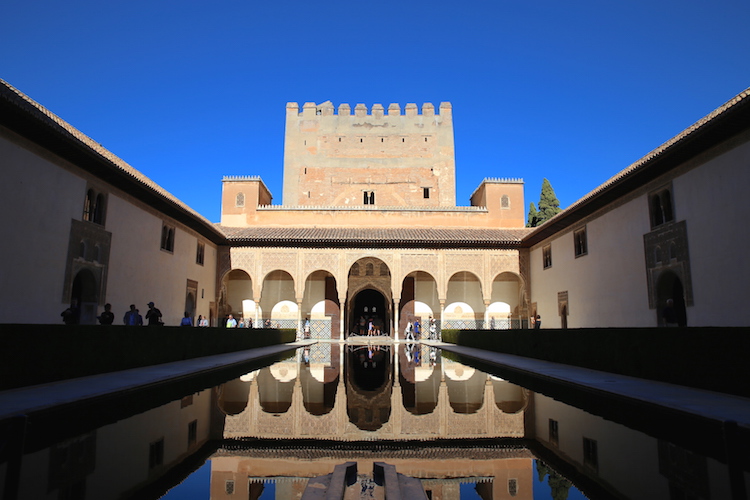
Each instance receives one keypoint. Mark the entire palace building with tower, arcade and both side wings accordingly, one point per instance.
(369, 230)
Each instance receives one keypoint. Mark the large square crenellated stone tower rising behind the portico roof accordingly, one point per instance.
(377, 158)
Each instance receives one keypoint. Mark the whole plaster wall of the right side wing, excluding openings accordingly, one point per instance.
(608, 286)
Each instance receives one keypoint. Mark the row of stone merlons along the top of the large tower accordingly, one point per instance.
(311, 110)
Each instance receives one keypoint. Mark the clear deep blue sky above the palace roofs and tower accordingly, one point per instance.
(188, 92)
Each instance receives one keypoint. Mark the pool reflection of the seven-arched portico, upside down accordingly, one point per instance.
(378, 396)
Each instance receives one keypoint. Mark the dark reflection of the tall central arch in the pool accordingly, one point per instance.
(368, 385)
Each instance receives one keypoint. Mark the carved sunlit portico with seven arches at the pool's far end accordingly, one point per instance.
(336, 288)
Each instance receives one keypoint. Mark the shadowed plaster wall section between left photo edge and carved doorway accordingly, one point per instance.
(39, 199)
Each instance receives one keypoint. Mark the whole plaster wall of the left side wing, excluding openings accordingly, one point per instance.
(45, 193)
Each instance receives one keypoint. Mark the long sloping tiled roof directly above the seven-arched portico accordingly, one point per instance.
(375, 237)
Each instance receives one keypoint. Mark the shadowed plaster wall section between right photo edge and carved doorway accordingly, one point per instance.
(712, 199)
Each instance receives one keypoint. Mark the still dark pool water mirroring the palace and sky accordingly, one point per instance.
(465, 433)
